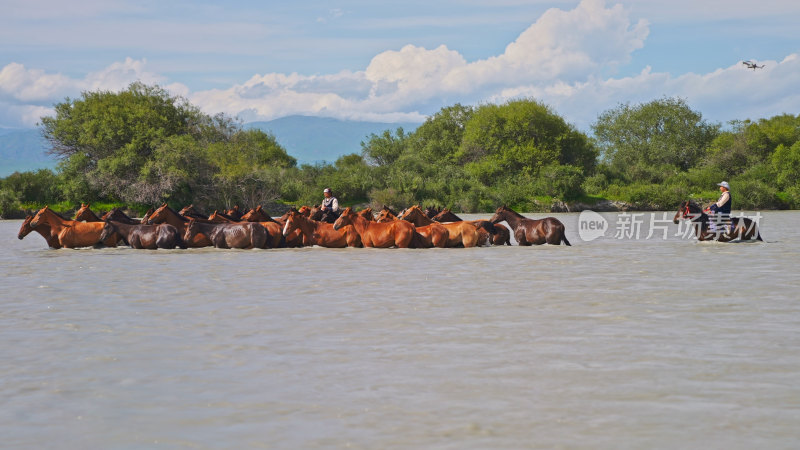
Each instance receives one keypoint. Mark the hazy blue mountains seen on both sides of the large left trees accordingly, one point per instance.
(309, 139)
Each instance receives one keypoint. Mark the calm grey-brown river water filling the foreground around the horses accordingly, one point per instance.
(616, 342)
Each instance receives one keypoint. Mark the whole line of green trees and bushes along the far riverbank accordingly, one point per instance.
(143, 146)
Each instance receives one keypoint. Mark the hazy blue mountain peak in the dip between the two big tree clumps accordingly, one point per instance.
(316, 139)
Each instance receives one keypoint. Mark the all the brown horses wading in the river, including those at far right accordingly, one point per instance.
(413, 227)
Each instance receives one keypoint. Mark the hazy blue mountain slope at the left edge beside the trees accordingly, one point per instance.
(23, 150)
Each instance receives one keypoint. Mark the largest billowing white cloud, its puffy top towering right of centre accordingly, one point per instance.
(560, 46)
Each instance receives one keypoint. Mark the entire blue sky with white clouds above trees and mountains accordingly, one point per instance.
(404, 61)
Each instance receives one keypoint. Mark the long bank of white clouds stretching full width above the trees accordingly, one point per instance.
(563, 59)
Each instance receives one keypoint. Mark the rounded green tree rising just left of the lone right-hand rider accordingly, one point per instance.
(650, 141)
